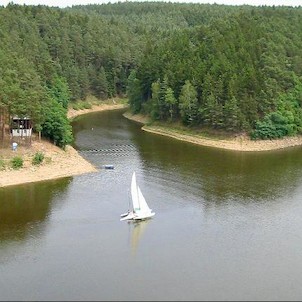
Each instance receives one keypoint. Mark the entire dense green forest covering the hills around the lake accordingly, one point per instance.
(230, 68)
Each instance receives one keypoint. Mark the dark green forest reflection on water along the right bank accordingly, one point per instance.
(218, 175)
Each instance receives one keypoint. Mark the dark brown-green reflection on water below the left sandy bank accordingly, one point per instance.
(24, 209)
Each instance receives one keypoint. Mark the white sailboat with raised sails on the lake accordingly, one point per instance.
(140, 209)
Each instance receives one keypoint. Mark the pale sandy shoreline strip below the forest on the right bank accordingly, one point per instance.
(240, 143)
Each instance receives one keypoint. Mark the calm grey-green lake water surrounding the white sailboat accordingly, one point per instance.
(228, 225)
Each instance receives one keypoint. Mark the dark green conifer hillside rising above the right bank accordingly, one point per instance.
(238, 73)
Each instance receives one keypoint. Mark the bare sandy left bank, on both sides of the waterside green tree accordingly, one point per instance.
(58, 163)
